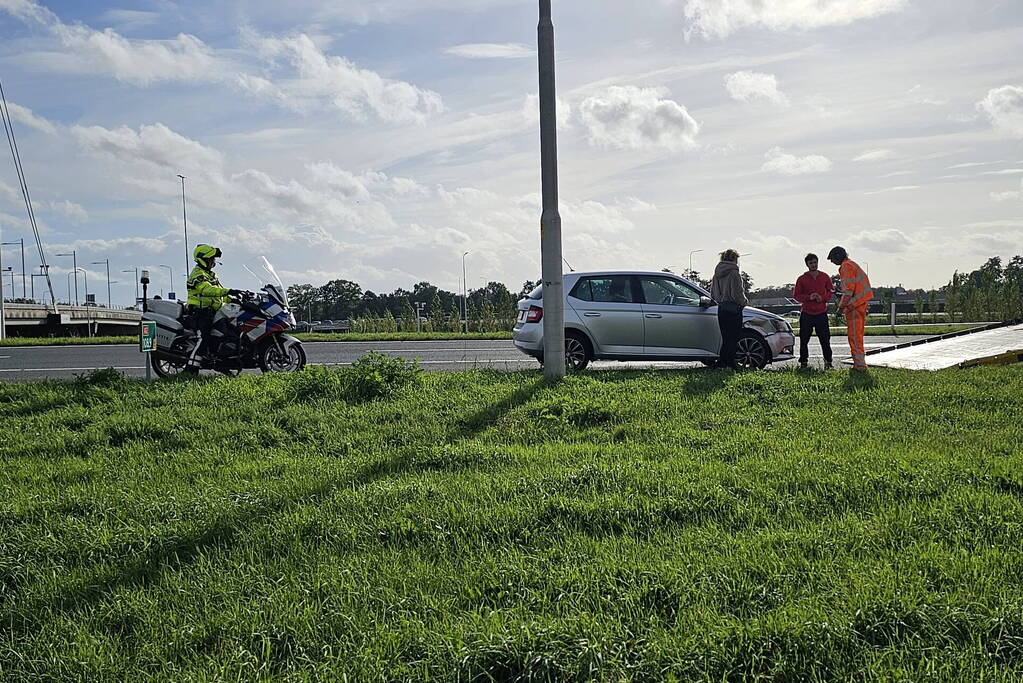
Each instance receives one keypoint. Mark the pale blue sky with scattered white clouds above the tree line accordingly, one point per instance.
(379, 141)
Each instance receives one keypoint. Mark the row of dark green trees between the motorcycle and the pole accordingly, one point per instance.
(424, 307)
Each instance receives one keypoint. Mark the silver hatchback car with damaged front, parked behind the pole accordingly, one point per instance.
(641, 316)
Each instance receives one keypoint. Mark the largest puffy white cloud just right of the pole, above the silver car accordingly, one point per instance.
(632, 118)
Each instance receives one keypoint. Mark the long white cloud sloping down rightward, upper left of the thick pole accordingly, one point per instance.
(322, 79)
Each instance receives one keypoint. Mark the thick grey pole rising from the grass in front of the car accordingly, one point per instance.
(551, 220)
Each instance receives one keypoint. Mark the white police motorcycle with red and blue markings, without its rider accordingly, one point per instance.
(248, 333)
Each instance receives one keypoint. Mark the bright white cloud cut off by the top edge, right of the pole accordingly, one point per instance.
(721, 19)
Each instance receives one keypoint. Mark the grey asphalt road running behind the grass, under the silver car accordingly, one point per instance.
(32, 363)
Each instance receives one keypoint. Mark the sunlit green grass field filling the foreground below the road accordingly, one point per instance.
(373, 524)
